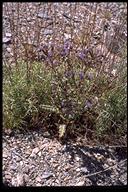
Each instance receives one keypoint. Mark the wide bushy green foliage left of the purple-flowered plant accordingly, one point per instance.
(22, 99)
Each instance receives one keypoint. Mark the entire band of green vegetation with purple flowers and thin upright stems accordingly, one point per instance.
(72, 86)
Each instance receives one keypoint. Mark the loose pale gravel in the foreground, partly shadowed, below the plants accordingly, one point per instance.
(60, 165)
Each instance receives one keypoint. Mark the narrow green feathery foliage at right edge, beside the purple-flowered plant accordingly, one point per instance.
(113, 107)
